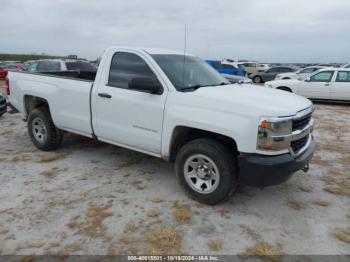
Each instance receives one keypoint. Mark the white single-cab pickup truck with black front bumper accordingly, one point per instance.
(176, 107)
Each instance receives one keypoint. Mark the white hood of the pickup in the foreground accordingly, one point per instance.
(250, 100)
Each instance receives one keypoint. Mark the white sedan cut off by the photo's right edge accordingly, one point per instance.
(325, 84)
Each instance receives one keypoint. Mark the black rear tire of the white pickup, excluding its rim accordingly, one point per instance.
(53, 136)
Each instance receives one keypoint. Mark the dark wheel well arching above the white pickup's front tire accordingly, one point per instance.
(183, 135)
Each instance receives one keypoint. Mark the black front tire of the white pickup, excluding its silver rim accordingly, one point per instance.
(225, 162)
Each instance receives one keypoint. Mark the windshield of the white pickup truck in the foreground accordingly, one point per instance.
(186, 72)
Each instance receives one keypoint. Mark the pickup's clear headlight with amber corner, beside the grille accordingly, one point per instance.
(271, 133)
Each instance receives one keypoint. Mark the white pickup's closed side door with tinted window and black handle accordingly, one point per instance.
(124, 116)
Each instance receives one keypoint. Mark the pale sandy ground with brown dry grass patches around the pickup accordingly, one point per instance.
(94, 198)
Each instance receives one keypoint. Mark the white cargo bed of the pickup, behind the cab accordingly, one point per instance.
(67, 93)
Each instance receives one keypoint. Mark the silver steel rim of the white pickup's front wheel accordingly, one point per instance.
(201, 174)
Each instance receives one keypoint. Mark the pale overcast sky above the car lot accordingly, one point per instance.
(263, 30)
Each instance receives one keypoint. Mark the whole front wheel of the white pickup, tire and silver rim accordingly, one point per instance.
(207, 170)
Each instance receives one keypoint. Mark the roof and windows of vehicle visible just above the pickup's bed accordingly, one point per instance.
(55, 65)
